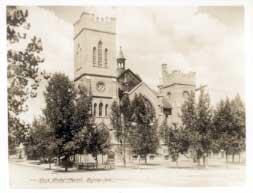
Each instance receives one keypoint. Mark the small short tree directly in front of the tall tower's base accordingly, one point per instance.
(98, 141)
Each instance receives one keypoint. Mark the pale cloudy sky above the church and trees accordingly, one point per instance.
(207, 40)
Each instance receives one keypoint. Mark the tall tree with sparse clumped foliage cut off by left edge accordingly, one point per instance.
(23, 66)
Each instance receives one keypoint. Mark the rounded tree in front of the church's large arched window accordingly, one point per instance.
(143, 135)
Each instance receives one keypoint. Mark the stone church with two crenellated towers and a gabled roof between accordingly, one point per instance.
(106, 77)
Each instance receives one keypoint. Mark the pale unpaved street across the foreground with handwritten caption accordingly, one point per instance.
(24, 175)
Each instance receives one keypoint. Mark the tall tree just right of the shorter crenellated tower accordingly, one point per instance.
(197, 122)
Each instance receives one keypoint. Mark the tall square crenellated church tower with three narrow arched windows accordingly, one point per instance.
(95, 62)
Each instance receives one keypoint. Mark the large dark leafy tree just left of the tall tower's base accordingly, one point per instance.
(68, 112)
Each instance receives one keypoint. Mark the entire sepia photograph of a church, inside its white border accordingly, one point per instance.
(126, 96)
